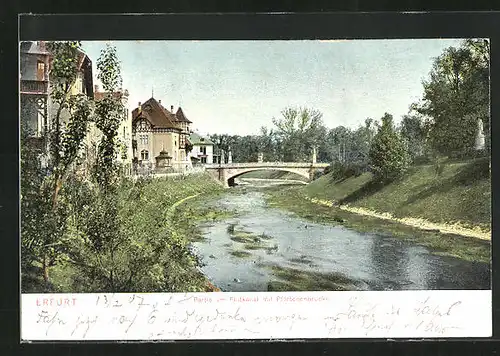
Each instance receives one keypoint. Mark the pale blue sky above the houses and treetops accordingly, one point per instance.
(236, 87)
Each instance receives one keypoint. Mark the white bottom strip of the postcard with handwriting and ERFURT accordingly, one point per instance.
(256, 315)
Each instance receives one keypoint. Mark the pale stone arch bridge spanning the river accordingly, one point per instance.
(226, 173)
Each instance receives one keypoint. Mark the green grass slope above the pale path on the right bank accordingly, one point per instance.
(461, 193)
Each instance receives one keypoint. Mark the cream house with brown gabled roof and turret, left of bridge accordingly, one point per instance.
(159, 133)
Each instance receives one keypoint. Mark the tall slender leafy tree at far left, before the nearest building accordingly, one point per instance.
(43, 212)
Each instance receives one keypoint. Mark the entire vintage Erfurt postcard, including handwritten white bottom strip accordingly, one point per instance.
(255, 189)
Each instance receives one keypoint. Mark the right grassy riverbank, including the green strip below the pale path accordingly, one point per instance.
(298, 200)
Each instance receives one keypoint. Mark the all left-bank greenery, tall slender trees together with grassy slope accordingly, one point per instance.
(84, 226)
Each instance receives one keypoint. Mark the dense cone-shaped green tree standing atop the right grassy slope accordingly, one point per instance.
(388, 156)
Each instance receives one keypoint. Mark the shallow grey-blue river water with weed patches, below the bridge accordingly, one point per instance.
(241, 253)
